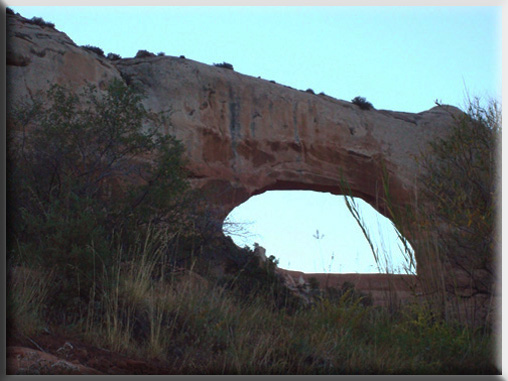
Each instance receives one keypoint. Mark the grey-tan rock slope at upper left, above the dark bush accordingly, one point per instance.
(38, 57)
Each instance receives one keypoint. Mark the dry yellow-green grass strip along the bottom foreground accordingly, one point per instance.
(197, 327)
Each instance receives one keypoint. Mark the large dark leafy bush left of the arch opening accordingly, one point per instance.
(81, 183)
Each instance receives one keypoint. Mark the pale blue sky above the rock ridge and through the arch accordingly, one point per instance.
(399, 58)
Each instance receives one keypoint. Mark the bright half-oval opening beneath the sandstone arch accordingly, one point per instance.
(314, 232)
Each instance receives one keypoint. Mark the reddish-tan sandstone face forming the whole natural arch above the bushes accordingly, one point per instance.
(243, 135)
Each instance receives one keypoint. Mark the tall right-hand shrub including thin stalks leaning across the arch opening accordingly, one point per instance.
(453, 222)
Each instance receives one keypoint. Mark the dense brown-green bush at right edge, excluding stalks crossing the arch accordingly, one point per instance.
(462, 183)
